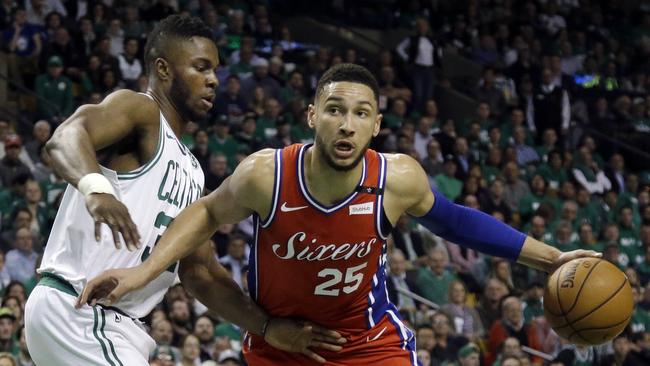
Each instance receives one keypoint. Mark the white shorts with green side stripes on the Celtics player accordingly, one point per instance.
(58, 334)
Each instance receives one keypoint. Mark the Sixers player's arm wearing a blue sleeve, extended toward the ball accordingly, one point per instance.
(465, 226)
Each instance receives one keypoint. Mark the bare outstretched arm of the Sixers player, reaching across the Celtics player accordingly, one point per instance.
(232, 202)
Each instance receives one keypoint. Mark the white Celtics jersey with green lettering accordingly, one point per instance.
(154, 194)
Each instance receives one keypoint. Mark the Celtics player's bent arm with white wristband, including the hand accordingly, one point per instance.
(93, 127)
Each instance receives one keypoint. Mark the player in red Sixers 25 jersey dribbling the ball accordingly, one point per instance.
(323, 213)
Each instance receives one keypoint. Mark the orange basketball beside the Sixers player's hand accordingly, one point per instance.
(588, 301)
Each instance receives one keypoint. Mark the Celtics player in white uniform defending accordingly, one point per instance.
(148, 178)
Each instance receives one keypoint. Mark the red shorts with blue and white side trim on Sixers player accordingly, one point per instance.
(388, 343)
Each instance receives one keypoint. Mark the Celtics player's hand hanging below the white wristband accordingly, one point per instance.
(106, 209)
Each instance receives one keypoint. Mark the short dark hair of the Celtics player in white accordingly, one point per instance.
(172, 28)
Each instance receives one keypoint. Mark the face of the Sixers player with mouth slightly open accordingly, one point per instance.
(345, 119)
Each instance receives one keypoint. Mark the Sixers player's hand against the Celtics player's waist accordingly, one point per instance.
(110, 286)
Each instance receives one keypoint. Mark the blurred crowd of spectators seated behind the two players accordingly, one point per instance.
(552, 72)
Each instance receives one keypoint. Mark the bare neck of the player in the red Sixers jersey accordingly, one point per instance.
(325, 183)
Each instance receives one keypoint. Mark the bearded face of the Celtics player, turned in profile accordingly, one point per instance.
(193, 79)
